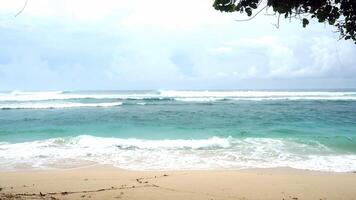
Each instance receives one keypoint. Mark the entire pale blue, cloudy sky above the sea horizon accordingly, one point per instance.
(164, 44)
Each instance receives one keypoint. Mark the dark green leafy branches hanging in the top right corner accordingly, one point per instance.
(339, 13)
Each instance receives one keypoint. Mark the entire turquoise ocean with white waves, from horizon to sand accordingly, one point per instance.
(178, 130)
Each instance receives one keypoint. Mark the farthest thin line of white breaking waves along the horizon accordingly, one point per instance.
(194, 96)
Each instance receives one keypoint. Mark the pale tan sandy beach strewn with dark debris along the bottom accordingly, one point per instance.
(104, 182)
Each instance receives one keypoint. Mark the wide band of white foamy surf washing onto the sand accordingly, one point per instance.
(211, 153)
